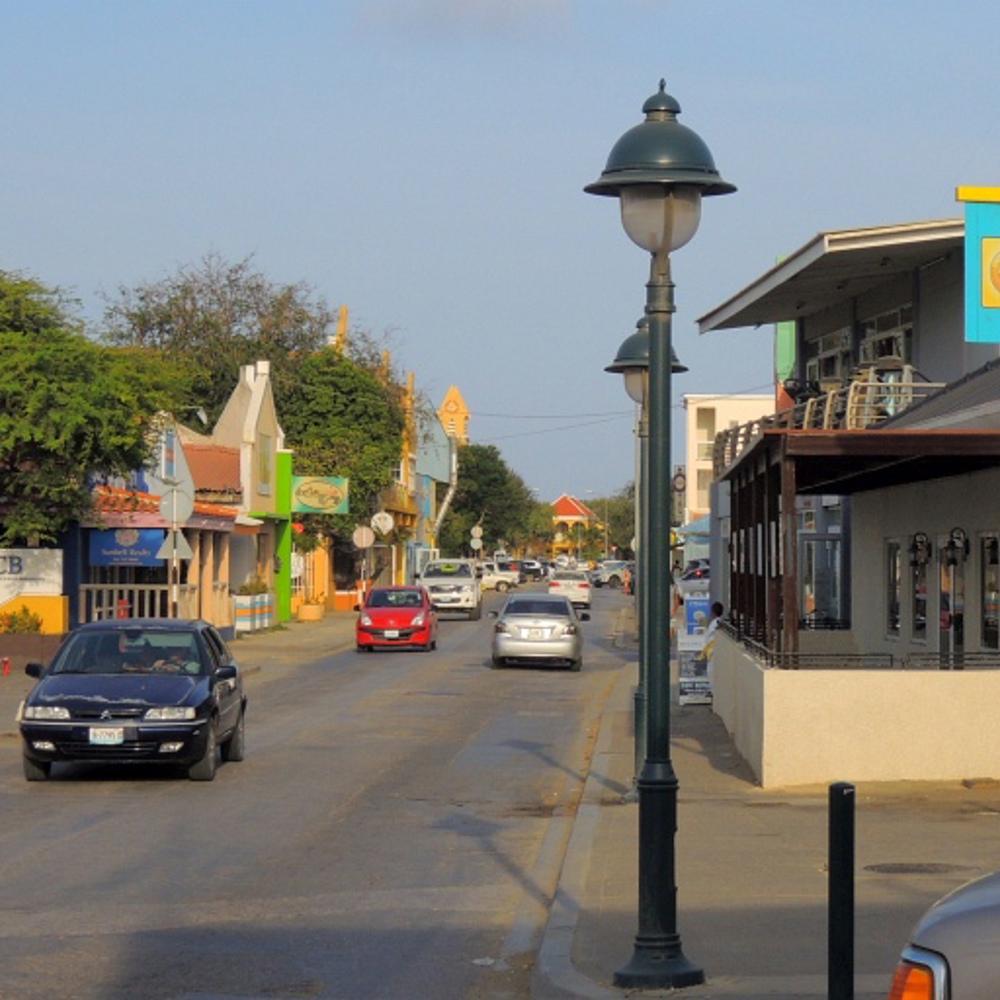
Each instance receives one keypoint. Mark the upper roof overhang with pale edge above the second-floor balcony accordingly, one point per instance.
(835, 266)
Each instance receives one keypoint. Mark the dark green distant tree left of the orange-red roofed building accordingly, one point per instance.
(489, 494)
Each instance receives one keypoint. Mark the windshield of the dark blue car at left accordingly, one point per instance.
(132, 650)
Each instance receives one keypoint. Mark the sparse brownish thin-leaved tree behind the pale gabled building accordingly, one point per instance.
(216, 316)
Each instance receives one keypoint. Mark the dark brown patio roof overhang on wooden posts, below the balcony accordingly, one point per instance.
(841, 463)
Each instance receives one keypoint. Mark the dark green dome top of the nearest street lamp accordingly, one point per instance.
(660, 151)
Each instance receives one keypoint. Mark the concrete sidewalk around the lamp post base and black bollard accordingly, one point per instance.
(751, 869)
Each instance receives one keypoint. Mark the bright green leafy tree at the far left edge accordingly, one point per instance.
(71, 412)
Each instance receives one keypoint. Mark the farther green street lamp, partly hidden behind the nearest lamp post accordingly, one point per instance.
(632, 361)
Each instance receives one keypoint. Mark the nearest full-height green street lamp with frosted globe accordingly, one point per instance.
(659, 170)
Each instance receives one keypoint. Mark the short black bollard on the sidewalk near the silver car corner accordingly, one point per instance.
(840, 928)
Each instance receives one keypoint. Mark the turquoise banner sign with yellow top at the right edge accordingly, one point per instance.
(982, 264)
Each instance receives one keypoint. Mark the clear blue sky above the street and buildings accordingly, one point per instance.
(423, 163)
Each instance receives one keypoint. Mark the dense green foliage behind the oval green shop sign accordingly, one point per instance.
(343, 419)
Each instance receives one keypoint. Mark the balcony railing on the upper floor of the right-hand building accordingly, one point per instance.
(865, 402)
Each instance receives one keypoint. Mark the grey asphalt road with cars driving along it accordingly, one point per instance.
(396, 831)
